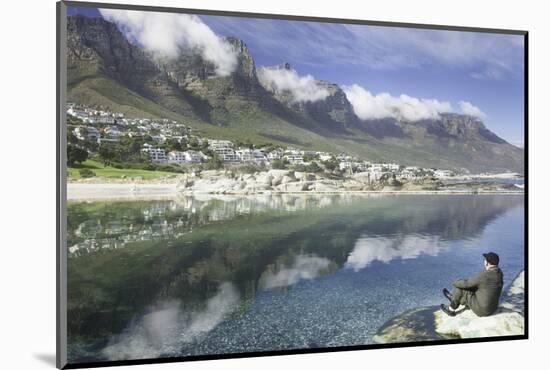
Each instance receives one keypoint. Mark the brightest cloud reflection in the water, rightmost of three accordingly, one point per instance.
(368, 249)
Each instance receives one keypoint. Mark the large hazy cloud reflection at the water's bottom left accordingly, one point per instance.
(165, 330)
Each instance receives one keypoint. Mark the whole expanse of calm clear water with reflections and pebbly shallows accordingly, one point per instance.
(219, 275)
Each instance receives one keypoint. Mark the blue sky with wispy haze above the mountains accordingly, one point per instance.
(484, 69)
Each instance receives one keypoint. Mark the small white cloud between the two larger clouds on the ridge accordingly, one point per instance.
(302, 88)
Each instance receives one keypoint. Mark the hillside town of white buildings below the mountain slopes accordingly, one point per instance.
(105, 127)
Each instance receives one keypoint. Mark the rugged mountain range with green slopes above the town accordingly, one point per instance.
(106, 69)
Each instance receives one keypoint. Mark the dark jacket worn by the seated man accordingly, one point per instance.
(486, 288)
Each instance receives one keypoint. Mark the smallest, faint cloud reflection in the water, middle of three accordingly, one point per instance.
(303, 268)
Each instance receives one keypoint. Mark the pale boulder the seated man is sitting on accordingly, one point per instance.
(430, 323)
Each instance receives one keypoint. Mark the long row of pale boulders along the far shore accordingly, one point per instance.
(285, 181)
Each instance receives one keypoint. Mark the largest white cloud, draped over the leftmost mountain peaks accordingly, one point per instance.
(166, 33)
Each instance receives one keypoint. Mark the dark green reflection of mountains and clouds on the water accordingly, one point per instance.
(178, 256)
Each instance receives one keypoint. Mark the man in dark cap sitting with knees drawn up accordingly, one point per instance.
(479, 293)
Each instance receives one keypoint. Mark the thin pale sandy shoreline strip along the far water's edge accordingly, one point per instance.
(162, 190)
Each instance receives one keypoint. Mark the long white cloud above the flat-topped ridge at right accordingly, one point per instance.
(383, 105)
